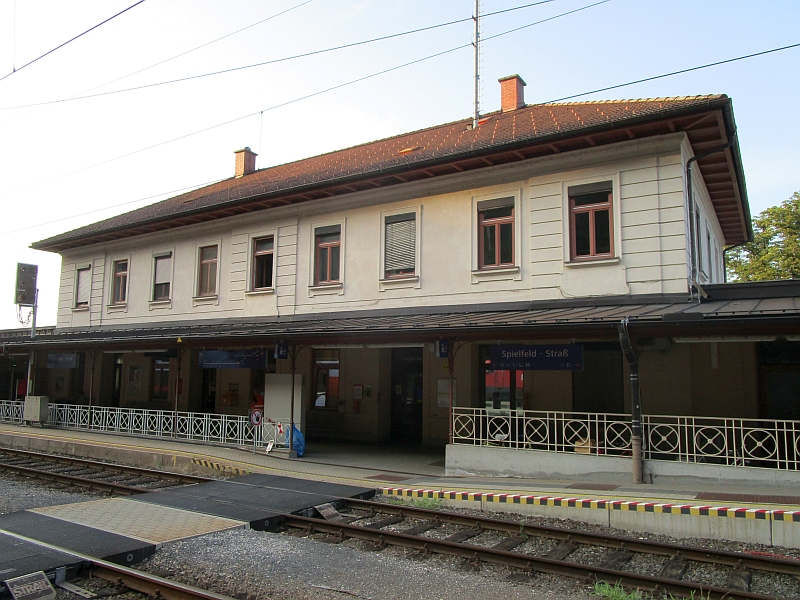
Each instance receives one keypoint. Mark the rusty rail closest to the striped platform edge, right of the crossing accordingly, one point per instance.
(787, 566)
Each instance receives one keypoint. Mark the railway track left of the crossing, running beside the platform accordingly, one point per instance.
(92, 474)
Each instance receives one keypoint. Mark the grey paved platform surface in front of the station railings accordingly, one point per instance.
(374, 465)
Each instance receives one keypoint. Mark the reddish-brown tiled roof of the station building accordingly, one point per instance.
(434, 146)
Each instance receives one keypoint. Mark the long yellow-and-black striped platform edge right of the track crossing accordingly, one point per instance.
(622, 505)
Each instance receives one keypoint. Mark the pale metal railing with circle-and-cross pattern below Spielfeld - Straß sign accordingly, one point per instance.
(765, 443)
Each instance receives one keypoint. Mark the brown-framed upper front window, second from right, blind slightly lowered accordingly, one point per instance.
(496, 233)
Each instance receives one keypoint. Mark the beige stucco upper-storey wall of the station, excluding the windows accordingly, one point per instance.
(650, 239)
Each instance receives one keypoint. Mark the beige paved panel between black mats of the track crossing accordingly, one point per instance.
(140, 520)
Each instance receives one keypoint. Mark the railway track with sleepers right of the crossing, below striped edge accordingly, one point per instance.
(479, 539)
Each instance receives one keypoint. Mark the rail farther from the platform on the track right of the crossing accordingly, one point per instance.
(526, 562)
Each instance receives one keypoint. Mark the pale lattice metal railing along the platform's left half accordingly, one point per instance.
(233, 430)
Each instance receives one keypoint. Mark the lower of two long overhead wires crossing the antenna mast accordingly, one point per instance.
(288, 102)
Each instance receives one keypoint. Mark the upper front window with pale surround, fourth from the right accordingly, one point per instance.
(326, 264)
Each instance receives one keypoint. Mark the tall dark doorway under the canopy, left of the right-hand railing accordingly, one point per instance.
(407, 395)
